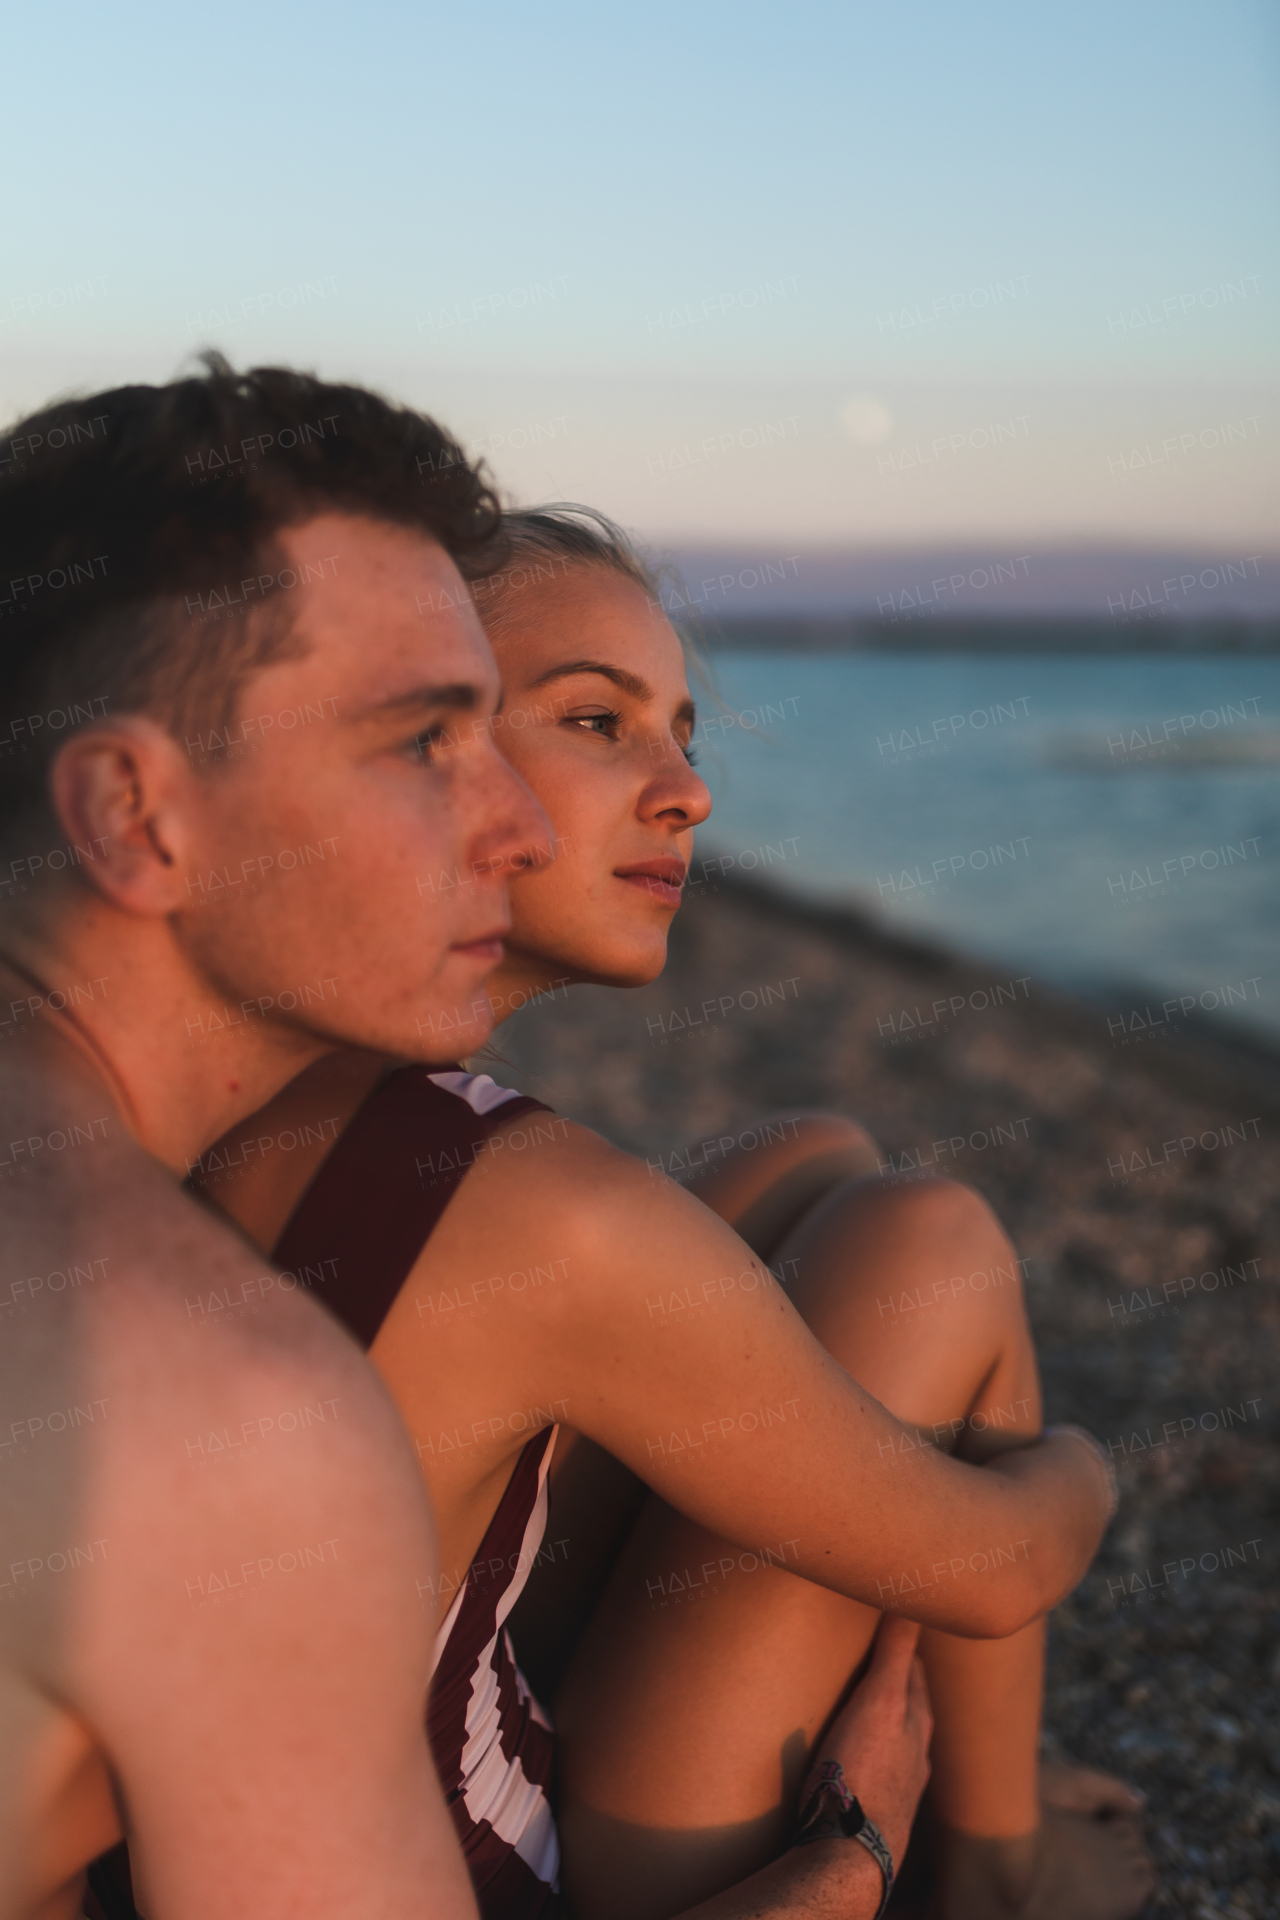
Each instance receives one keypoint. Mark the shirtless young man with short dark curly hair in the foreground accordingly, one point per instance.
(220, 709)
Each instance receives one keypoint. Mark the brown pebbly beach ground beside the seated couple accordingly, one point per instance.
(1141, 1182)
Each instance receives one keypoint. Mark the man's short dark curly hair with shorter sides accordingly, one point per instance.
(124, 514)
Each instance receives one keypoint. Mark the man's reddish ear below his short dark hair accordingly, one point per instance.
(128, 802)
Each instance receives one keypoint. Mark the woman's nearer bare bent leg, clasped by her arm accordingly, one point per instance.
(709, 1673)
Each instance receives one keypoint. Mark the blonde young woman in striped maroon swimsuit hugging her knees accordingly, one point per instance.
(504, 1268)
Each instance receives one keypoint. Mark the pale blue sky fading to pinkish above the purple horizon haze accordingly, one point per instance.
(598, 239)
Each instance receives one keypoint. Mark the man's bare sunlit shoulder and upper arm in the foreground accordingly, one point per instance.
(206, 1500)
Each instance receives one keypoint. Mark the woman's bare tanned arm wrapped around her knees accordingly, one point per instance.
(682, 1356)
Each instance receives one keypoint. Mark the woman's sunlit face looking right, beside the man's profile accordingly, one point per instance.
(598, 721)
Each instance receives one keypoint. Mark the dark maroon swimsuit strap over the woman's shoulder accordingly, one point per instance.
(379, 1193)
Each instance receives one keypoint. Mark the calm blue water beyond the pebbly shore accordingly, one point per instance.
(1106, 825)
